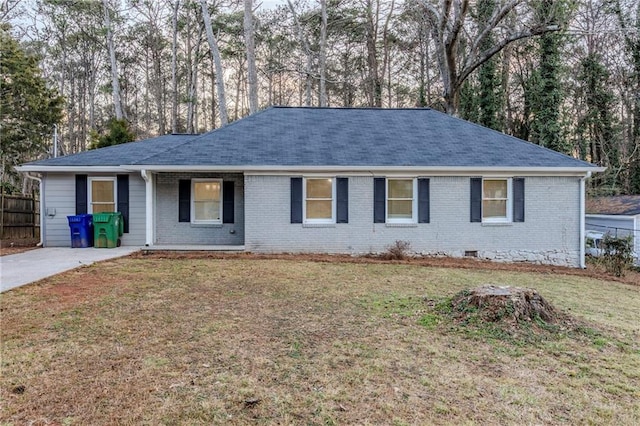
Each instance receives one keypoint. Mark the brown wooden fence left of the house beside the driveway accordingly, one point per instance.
(19, 216)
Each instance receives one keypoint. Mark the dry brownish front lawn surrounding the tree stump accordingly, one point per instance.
(247, 341)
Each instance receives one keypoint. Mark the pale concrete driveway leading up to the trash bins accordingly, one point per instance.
(33, 265)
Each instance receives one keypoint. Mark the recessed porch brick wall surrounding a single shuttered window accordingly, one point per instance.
(170, 231)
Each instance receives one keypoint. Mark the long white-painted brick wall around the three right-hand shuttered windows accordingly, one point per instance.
(550, 233)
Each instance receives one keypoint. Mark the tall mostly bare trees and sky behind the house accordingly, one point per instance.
(564, 74)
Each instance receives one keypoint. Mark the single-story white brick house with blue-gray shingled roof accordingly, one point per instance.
(337, 180)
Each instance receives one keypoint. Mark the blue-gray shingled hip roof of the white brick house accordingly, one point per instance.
(342, 137)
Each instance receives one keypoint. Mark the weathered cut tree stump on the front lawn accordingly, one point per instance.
(512, 305)
